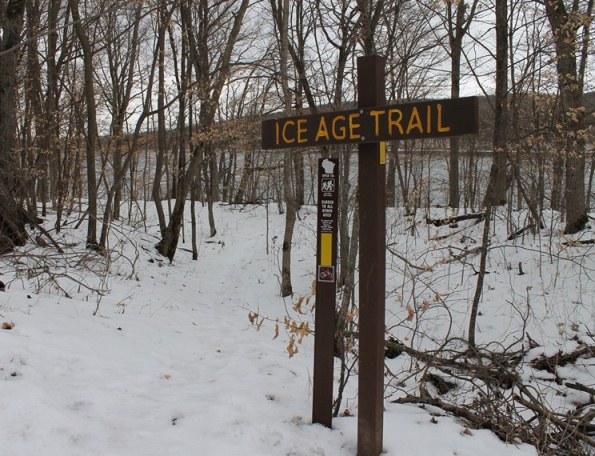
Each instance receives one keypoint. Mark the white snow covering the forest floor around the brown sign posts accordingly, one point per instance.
(164, 361)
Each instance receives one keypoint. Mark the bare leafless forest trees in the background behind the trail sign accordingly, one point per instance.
(107, 107)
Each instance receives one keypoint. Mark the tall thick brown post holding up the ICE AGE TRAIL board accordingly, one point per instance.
(372, 197)
